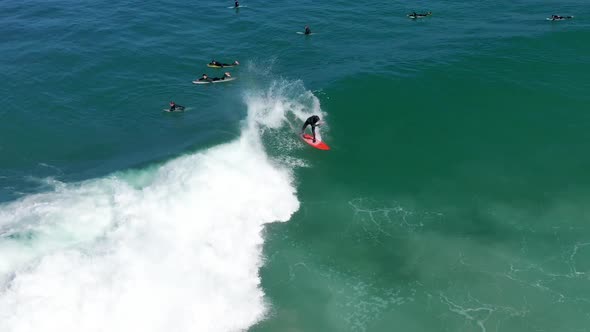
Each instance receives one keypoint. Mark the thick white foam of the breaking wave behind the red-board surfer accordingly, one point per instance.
(180, 253)
